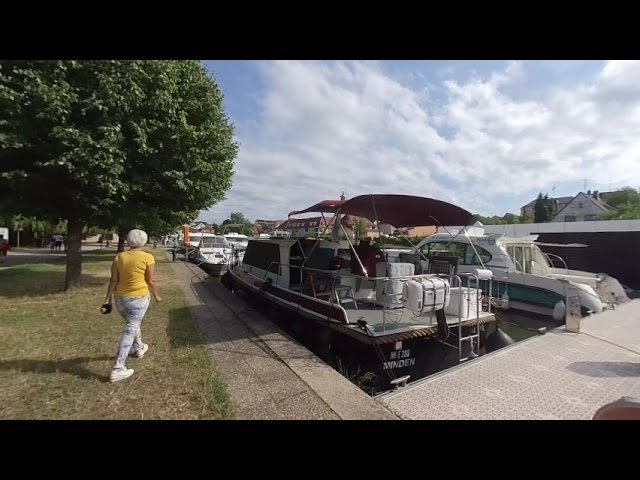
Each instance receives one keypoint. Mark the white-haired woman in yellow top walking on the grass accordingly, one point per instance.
(132, 283)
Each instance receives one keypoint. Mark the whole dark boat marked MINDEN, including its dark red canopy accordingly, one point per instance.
(397, 320)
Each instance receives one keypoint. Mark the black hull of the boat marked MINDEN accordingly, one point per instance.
(369, 364)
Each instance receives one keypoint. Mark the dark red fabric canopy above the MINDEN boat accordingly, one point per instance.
(401, 211)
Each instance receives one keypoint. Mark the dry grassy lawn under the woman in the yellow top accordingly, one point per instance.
(57, 349)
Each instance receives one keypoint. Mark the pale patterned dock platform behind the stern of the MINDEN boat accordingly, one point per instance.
(560, 375)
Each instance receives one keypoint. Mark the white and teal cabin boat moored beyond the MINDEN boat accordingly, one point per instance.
(524, 277)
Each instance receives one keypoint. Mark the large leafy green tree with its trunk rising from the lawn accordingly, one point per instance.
(111, 143)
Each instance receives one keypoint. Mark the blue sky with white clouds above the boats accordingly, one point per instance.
(486, 135)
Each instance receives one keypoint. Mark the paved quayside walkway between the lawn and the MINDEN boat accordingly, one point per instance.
(269, 375)
